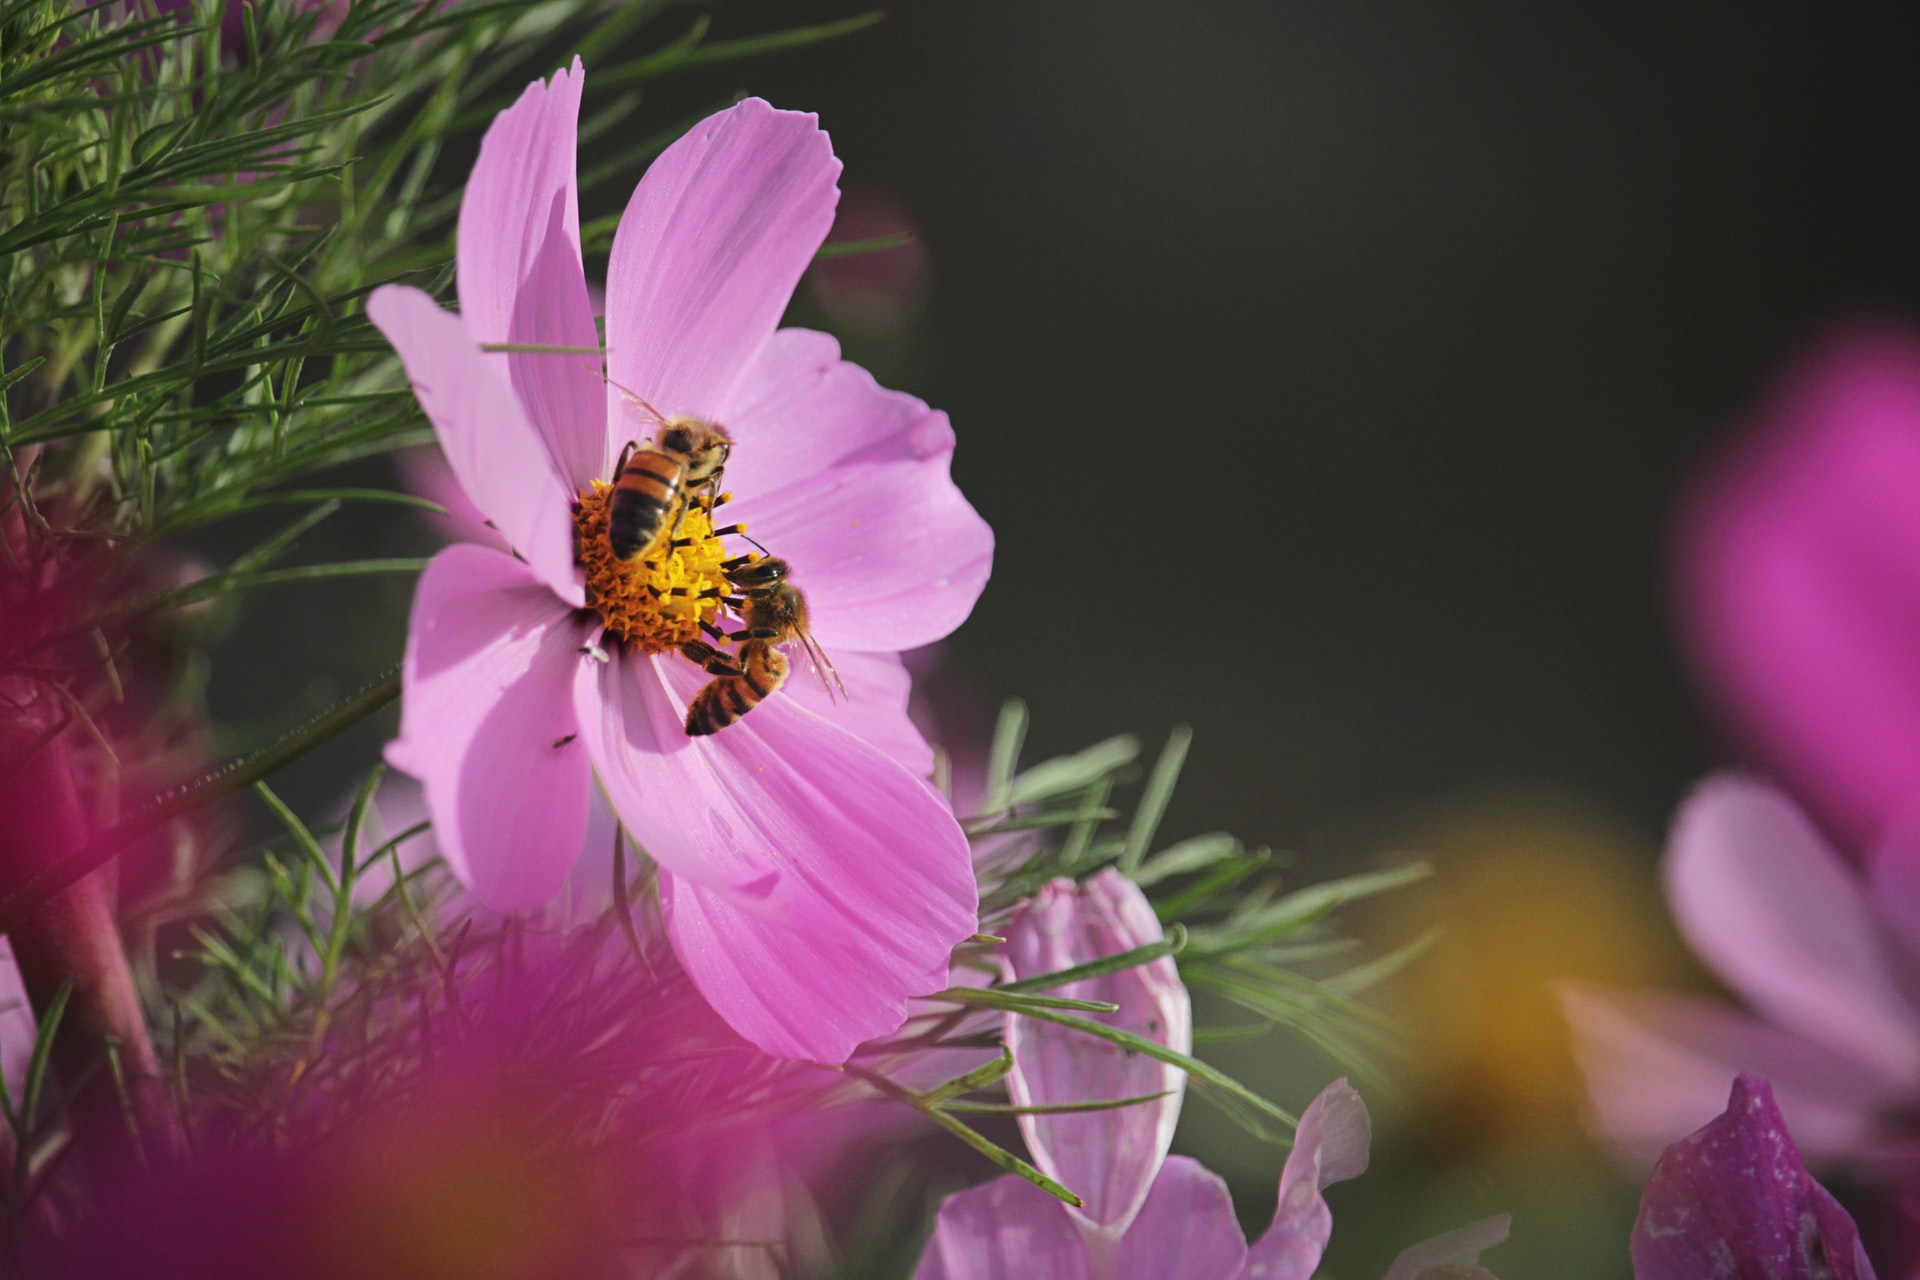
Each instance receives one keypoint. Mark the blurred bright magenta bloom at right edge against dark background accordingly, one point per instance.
(1798, 581)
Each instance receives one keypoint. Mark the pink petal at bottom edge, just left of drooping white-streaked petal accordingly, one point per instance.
(1003, 1231)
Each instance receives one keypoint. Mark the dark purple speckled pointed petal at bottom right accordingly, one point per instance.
(1735, 1200)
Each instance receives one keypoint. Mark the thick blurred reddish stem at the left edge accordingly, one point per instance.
(103, 1053)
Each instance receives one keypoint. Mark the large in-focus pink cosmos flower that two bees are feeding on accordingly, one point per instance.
(811, 878)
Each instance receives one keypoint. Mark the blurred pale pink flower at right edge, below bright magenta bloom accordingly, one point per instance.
(1825, 959)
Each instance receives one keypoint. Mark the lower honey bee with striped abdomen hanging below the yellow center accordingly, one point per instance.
(775, 613)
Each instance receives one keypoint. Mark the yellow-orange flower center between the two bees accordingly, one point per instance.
(656, 602)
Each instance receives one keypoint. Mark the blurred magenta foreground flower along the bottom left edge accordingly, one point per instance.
(546, 1108)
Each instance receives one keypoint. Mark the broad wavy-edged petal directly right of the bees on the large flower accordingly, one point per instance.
(852, 483)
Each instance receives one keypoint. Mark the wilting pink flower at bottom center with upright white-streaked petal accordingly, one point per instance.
(1147, 1218)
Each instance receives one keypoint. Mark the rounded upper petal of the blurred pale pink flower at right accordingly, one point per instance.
(1764, 901)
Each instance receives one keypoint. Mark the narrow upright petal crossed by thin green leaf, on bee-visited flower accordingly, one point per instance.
(521, 277)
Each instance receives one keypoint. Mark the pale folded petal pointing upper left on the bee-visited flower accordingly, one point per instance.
(491, 446)
